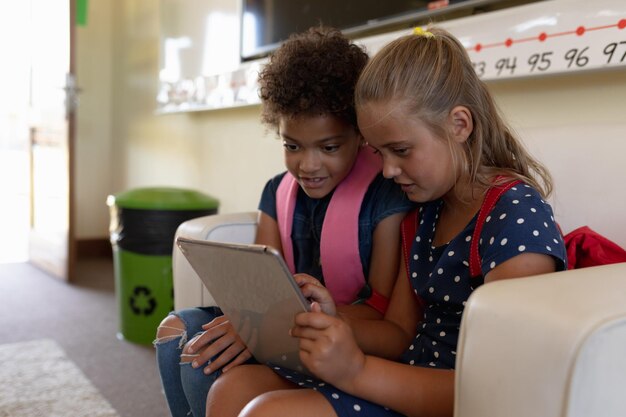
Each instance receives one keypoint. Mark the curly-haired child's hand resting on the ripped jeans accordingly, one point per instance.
(220, 345)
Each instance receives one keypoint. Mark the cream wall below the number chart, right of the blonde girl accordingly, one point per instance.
(575, 124)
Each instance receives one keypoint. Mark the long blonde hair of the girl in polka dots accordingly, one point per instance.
(430, 75)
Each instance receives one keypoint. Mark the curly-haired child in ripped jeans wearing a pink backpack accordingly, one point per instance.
(333, 215)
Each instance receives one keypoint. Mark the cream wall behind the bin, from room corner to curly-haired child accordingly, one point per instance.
(223, 153)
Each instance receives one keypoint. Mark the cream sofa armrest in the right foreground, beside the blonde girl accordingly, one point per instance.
(550, 345)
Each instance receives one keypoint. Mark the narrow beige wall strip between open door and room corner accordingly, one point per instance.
(94, 159)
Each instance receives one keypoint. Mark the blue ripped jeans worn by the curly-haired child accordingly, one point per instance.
(185, 388)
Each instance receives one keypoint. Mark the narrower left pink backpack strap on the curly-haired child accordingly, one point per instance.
(285, 207)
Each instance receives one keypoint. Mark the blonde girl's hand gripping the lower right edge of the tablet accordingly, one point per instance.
(327, 347)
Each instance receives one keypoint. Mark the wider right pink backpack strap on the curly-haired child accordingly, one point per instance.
(339, 246)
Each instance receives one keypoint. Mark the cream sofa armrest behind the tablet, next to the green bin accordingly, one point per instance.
(234, 227)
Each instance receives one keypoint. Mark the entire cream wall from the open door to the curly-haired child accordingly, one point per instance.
(122, 144)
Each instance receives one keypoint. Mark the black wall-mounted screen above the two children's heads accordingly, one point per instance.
(266, 23)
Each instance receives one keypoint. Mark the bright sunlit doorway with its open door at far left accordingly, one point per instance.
(35, 146)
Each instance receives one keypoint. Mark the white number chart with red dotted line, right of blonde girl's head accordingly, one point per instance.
(547, 37)
